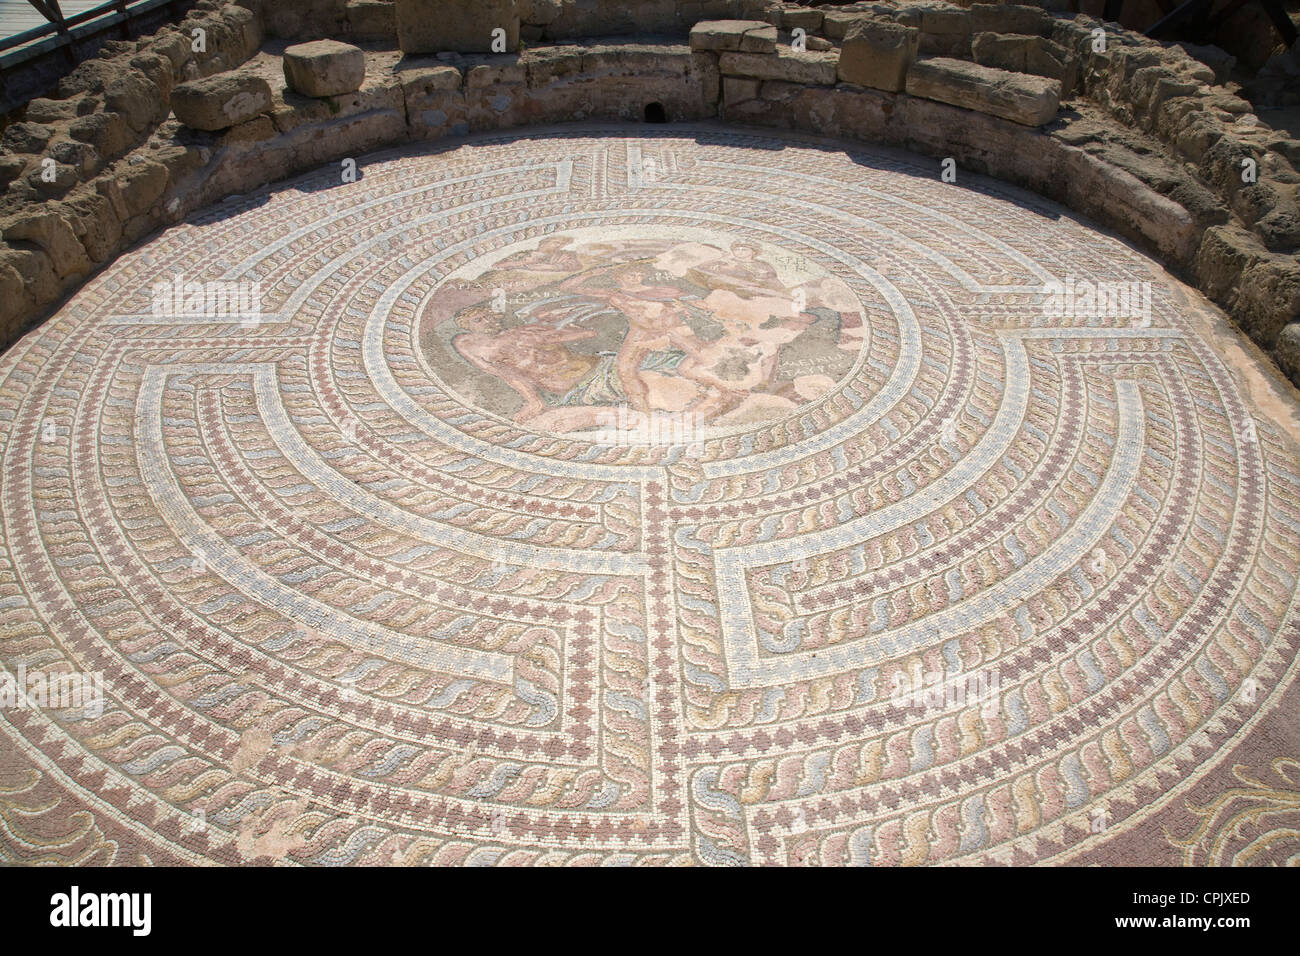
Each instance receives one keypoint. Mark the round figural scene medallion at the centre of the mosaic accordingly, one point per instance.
(621, 331)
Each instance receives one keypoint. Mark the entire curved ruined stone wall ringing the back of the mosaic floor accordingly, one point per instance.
(1139, 137)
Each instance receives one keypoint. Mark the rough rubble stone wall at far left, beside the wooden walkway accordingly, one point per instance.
(81, 181)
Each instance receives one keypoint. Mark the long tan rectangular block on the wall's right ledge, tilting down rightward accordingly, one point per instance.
(1029, 101)
